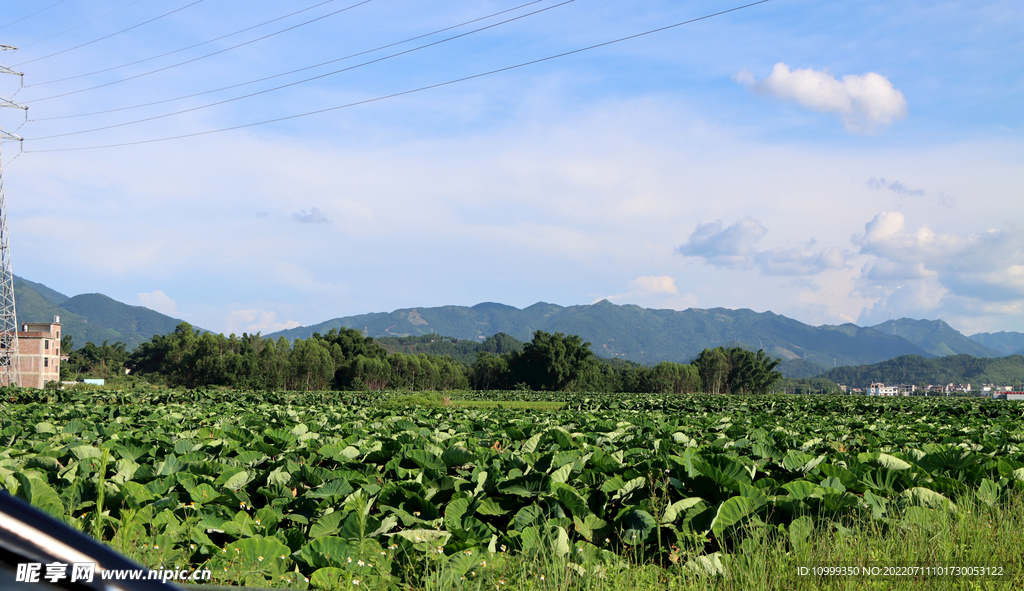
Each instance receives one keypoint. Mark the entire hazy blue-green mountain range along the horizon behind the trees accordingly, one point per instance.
(628, 332)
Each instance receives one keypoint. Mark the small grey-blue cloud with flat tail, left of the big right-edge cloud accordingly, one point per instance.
(735, 247)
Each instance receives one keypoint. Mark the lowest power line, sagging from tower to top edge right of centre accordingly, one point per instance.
(412, 92)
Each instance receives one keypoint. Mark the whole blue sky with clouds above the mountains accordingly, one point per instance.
(829, 161)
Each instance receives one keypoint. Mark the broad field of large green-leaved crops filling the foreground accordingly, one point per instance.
(330, 489)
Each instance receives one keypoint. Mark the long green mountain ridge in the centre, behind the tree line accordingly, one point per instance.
(638, 334)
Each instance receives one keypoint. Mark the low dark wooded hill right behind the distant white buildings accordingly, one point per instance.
(1007, 371)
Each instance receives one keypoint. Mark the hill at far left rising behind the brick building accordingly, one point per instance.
(89, 318)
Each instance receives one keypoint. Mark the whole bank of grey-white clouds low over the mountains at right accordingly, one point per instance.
(902, 271)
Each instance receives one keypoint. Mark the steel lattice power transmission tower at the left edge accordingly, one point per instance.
(10, 367)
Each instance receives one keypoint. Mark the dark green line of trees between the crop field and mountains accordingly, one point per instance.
(345, 360)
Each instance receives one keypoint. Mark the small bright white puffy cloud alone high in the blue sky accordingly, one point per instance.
(863, 102)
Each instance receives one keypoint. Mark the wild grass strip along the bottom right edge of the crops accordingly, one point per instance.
(767, 560)
